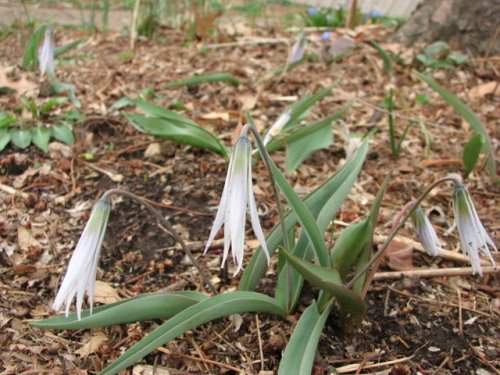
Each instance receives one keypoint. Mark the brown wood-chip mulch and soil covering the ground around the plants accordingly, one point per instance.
(440, 325)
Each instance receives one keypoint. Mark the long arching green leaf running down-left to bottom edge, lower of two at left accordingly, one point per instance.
(192, 317)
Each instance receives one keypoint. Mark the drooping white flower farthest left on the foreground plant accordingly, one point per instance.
(82, 267)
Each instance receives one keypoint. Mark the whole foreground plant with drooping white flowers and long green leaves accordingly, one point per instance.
(340, 274)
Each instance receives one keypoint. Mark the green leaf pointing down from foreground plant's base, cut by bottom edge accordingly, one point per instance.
(298, 357)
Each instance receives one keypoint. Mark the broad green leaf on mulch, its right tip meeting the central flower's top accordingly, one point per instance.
(183, 133)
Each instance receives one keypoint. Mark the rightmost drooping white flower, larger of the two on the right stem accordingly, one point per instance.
(473, 236)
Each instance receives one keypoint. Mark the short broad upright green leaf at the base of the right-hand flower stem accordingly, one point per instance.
(349, 245)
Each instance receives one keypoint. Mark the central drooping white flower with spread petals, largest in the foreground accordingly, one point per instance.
(237, 194)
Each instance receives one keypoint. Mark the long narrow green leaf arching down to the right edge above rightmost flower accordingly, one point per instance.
(468, 116)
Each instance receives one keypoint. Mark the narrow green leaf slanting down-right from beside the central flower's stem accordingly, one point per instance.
(304, 216)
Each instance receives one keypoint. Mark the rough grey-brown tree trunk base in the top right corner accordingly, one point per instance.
(471, 25)
